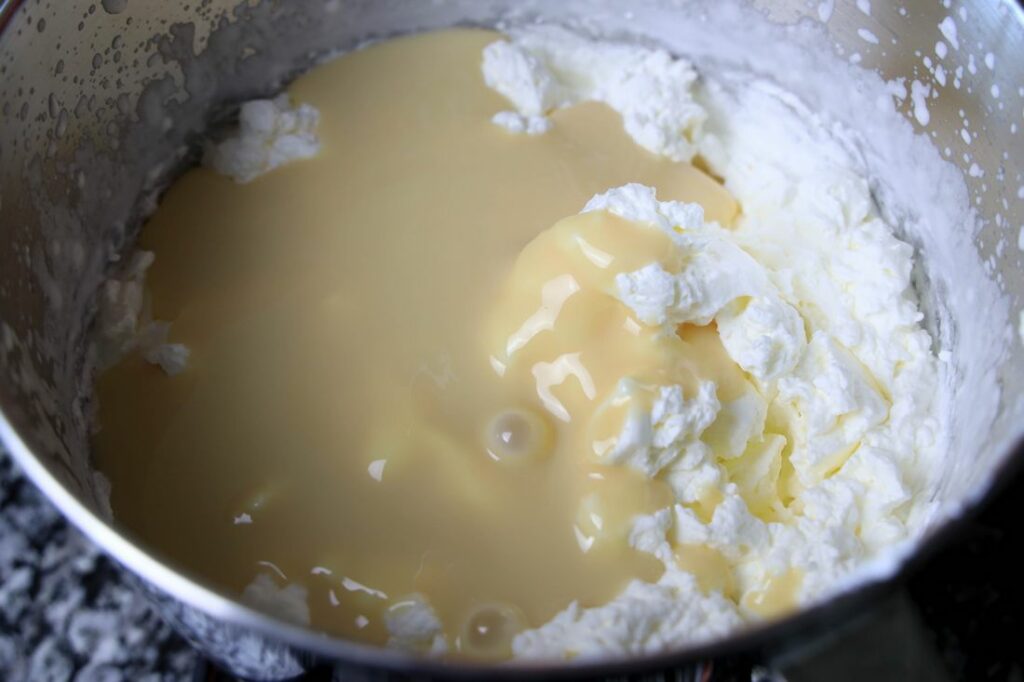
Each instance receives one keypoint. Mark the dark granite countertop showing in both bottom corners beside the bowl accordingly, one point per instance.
(67, 615)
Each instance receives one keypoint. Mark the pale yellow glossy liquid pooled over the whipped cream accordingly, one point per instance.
(342, 313)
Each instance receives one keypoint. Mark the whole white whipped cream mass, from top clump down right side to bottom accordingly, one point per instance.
(813, 297)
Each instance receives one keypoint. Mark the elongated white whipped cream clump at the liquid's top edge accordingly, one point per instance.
(542, 69)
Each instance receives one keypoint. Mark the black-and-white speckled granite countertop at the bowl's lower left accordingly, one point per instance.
(65, 612)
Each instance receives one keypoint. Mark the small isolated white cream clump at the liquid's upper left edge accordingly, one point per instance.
(271, 134)
